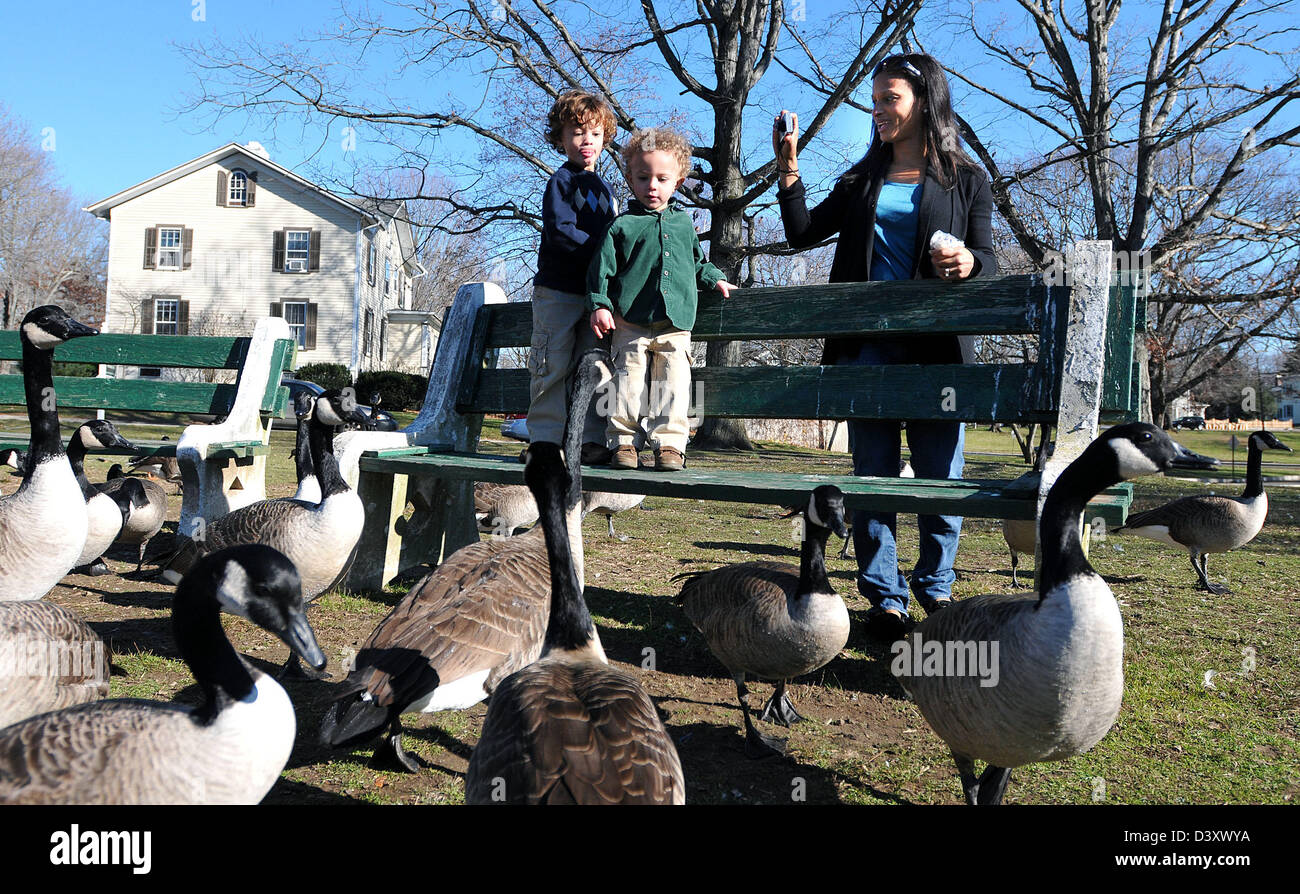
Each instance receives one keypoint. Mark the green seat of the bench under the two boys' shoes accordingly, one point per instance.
(983, 498)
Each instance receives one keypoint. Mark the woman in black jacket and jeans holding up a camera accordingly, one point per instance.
(913, 183)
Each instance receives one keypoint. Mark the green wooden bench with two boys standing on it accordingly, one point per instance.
(1085, 372)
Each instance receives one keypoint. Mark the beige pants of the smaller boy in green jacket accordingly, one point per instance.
(652, 380)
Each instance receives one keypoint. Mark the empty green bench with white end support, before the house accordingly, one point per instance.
(223, 465)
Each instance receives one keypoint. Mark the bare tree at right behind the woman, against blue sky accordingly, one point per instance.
(1175, 151)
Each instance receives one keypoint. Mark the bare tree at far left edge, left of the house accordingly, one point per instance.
(46, 241)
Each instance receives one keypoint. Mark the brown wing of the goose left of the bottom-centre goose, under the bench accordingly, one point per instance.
(484, 609)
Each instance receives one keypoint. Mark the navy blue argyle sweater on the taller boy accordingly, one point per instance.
(577, 212)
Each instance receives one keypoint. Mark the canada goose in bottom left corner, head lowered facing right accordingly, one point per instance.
(229, 750)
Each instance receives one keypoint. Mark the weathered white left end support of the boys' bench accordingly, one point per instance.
(443, 518)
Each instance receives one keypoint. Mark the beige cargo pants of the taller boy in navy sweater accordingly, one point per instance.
(561, 335)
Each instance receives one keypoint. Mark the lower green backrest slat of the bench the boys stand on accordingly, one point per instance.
(980, 393)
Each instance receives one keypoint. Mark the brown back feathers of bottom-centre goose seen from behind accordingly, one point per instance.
(588, 735)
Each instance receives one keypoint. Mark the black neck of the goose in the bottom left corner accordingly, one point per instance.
(218, 669)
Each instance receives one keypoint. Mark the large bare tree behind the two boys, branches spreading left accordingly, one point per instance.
(527, 53)
